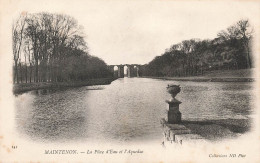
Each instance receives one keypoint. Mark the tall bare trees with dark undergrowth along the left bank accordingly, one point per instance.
(51, 48)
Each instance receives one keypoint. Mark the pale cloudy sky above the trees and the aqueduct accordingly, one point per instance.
(134, 32)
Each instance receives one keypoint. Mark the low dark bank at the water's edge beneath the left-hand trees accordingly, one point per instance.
(24, 87)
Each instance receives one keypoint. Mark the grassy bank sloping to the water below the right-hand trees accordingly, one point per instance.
(244, 75)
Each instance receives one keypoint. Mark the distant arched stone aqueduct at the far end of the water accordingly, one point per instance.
(132, 70)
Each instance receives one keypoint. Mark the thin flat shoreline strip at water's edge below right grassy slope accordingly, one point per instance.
(205, 79)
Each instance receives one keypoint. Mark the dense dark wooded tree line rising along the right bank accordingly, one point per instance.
(231, 49)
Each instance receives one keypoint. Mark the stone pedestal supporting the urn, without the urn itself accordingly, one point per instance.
(174, 114)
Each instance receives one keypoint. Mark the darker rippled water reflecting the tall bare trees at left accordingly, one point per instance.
(53, 114)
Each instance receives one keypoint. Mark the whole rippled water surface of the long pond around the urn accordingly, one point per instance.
(127, 110)
